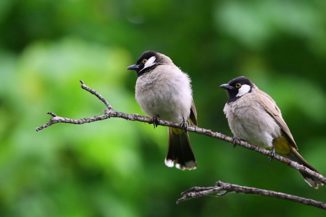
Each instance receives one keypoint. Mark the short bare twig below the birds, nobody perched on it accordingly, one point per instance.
(222, 188)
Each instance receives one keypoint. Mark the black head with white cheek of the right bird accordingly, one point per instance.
(237, 87)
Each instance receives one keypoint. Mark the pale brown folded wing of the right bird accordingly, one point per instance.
(272, 109)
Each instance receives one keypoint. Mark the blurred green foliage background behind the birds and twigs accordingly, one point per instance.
(115, 167)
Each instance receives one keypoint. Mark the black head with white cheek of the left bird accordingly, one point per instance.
(148, 61)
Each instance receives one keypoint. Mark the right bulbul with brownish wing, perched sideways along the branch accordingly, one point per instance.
(253, 116)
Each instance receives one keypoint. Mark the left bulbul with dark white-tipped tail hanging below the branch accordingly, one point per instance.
(164, 91)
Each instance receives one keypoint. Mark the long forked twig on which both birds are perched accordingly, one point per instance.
(110, 113)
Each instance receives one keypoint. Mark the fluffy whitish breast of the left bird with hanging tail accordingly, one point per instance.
(165, 91)
